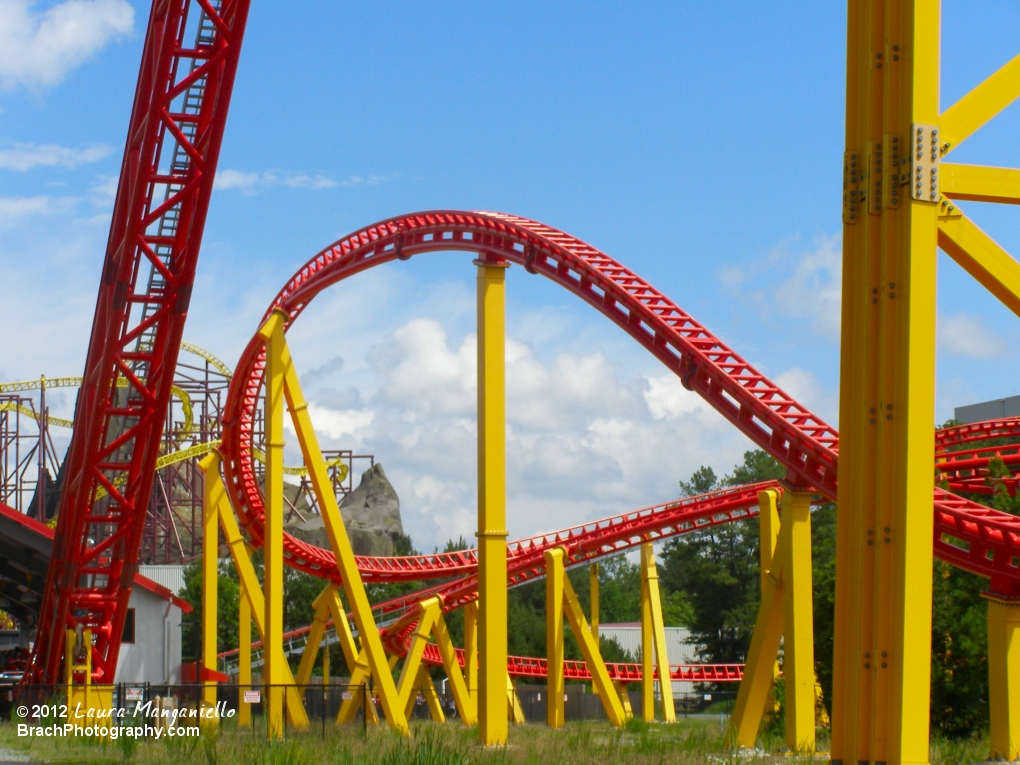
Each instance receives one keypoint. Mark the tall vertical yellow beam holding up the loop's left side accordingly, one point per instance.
(277, 361)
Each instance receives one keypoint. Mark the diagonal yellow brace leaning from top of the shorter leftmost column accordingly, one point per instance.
(246, 573)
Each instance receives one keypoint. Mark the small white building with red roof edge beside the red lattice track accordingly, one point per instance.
(150, 650)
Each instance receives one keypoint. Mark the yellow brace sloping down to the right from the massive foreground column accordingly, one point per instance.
(982, 258)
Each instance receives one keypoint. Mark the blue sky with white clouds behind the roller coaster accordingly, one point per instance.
(699, 143)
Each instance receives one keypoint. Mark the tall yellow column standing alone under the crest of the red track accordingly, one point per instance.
(493, 727)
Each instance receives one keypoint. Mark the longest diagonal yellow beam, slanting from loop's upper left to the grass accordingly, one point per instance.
(339, 541)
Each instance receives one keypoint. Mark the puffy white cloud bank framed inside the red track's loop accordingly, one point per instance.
(585, 439)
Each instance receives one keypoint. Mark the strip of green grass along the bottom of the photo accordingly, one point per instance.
(701, 742)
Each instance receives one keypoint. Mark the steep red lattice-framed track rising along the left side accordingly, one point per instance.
(156, 234)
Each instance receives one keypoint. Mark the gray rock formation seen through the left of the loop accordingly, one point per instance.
(372, 518)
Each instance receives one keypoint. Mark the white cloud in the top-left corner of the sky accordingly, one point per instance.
(39, 48)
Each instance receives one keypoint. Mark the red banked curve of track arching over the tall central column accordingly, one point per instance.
(967, 535)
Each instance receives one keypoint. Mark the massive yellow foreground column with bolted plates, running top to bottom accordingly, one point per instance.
(882, 679)
